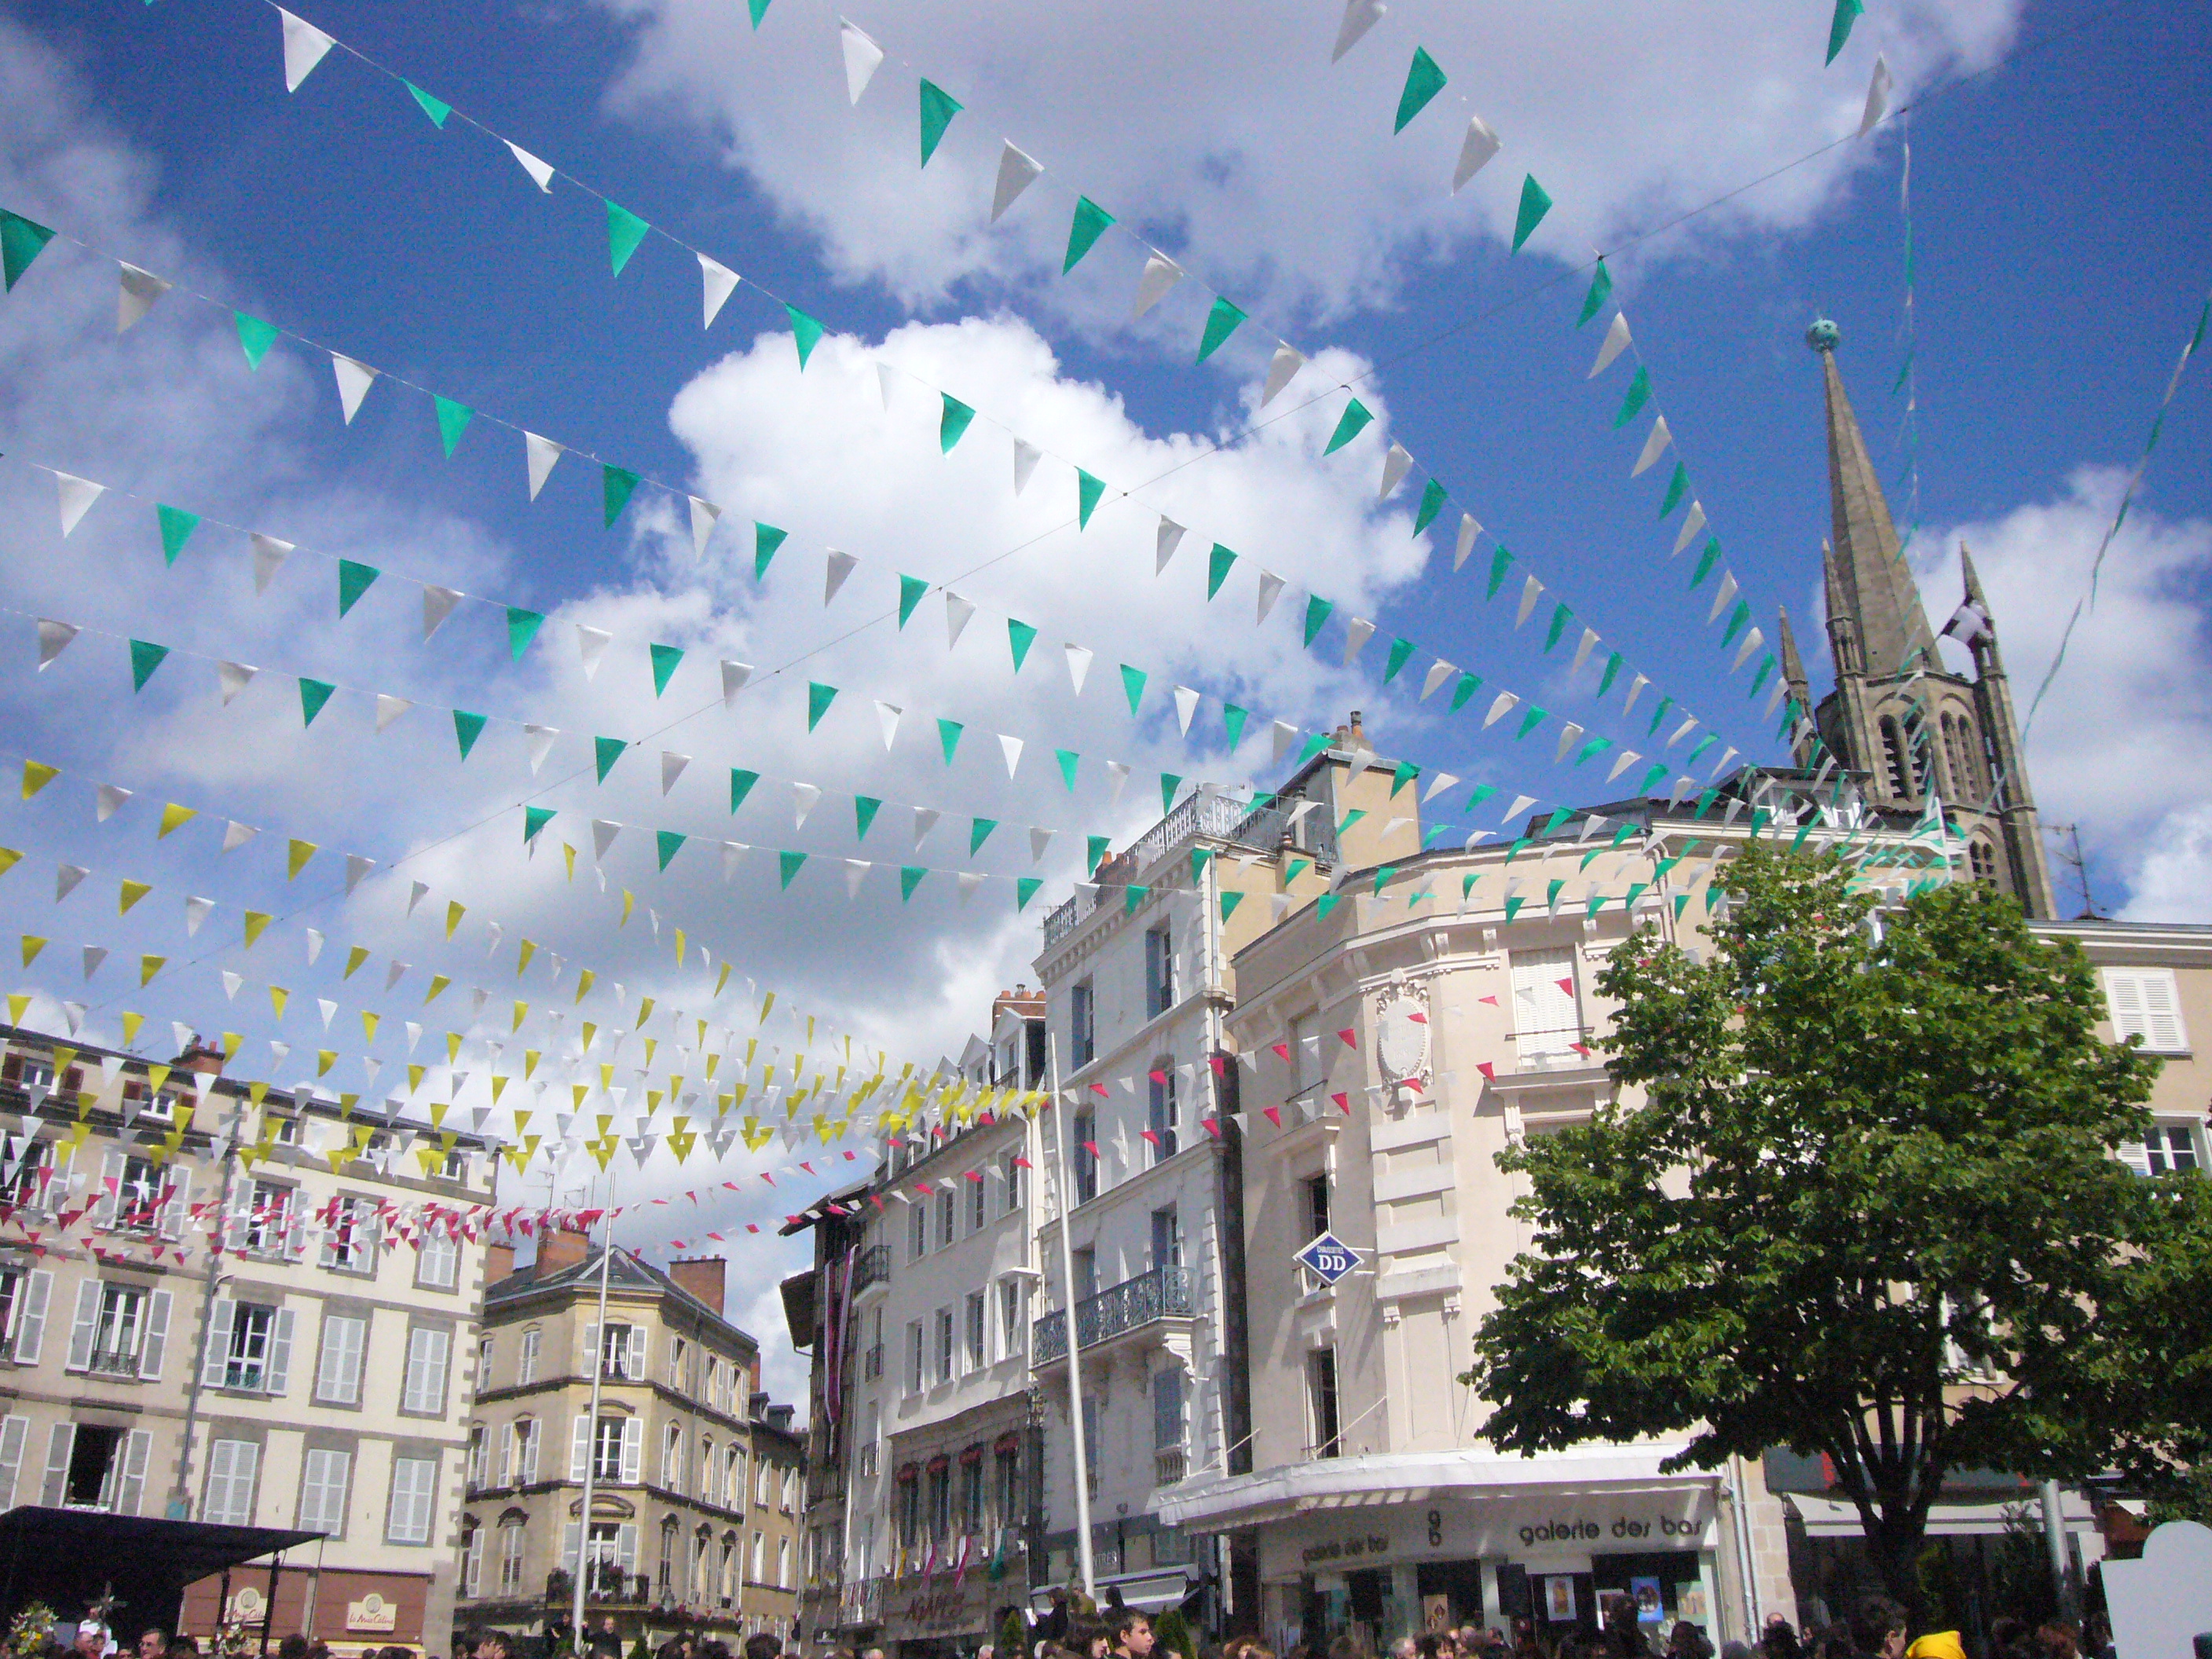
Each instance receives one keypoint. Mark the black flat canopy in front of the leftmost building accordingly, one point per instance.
(70, 1556)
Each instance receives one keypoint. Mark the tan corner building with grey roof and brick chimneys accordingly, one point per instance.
(696, 1514)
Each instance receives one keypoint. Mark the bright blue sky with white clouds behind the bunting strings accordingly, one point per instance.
(2063, 253)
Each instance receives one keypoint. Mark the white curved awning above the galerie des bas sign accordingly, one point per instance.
(1412, 1479)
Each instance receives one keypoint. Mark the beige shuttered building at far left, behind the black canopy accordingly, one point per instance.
(273, 1328)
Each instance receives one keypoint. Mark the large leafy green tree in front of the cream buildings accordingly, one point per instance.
(1866, 1209)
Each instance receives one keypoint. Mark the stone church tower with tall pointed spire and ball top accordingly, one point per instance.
(1899, 718)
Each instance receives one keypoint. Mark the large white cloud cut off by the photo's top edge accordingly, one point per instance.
(1227, 136)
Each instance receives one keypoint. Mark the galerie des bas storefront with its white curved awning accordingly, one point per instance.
(1432, 1543)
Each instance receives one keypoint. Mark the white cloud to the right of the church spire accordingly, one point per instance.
(2125, 738)
